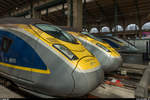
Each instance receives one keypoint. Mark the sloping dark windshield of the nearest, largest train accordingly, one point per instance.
(56, 32)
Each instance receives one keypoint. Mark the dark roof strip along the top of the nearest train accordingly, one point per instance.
(21, 20)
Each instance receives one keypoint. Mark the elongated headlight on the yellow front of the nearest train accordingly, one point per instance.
(65, 51)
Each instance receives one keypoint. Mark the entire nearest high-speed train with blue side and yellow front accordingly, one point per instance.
(45, 60)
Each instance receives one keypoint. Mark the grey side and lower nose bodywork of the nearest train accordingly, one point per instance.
(64, 79)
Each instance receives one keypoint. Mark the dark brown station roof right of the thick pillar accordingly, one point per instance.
(104, 10)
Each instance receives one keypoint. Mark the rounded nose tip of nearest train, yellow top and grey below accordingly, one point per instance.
(87, 76)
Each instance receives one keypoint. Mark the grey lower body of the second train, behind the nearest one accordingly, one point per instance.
(109, 63)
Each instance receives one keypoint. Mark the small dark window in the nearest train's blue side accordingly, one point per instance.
(6, 43)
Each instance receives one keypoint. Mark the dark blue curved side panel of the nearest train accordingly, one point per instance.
(24, 54)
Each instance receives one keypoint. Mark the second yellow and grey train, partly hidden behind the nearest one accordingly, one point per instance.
(109, 57)
